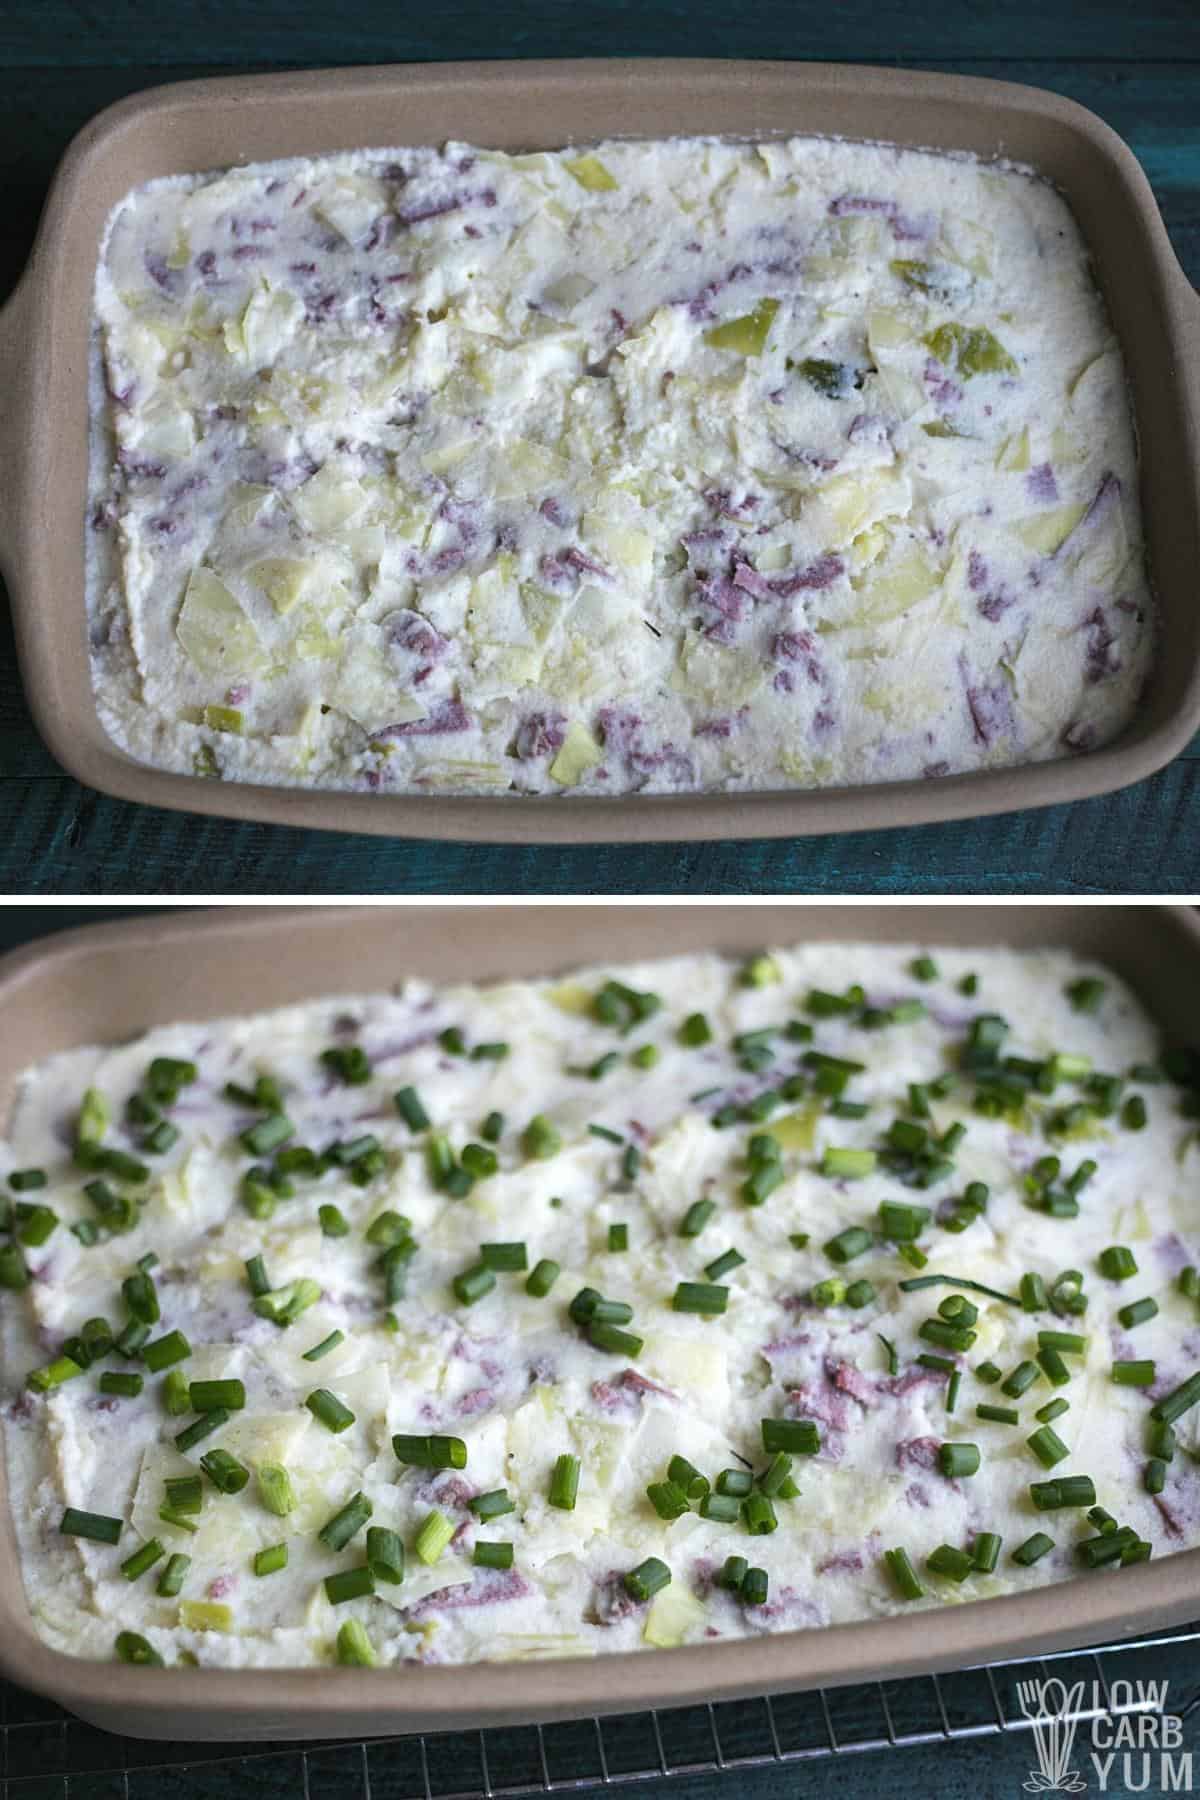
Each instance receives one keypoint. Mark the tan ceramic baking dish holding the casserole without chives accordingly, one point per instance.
(44, 345)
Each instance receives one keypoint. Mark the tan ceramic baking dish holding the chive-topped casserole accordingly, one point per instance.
(107, 984)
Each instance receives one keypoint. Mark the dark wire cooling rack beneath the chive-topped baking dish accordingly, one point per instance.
(49, 1756)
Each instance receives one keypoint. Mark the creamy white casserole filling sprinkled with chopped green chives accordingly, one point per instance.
(661, 1146)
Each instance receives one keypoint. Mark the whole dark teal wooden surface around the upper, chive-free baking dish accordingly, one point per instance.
(62, 60)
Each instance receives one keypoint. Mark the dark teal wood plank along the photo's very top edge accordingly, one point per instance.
(82, 33)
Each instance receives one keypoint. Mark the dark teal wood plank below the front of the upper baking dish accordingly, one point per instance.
(57, 838)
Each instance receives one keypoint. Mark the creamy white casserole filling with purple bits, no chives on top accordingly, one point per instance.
(659, 467)
